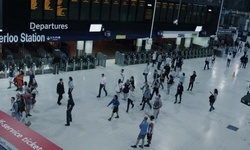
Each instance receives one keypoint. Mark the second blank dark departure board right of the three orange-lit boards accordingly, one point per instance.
(85, 11)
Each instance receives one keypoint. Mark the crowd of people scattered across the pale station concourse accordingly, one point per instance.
(166, 71)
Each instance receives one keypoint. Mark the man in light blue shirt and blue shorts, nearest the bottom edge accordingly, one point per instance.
(143, 131)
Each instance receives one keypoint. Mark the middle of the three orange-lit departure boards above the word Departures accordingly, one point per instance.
(49, 9)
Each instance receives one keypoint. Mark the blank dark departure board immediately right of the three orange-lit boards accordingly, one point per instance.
(74, 9)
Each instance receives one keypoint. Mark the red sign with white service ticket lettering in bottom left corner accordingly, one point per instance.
(15, 135)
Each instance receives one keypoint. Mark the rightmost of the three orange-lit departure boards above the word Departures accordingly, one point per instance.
(62, 10)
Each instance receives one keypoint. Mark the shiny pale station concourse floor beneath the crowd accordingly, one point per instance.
(185, 126)
